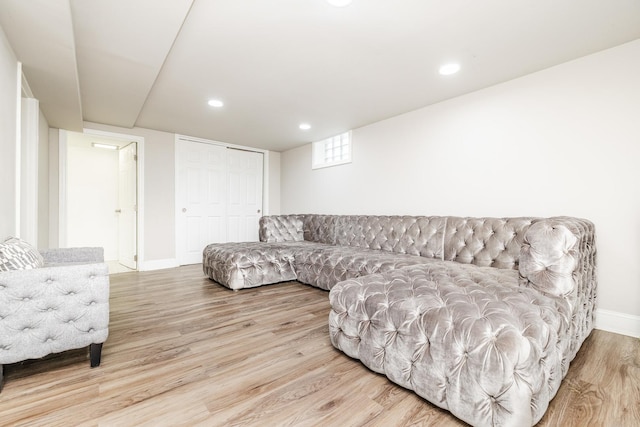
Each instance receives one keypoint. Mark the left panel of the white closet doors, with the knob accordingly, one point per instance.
(200, 198)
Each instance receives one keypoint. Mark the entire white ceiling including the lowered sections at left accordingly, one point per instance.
(277, 63)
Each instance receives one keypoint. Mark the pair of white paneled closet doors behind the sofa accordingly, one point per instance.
(218, 197)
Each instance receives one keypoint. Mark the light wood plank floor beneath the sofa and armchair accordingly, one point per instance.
(183, 350)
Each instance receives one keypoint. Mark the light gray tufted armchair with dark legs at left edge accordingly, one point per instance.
(62, 306)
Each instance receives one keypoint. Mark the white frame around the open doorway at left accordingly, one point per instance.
(62, 186)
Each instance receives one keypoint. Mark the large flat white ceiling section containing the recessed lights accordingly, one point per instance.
(276, 65)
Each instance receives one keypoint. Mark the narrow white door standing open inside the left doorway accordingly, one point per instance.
(127, 206)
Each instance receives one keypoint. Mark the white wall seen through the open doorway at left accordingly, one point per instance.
(92, 197)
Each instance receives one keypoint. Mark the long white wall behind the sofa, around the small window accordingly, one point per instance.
(563, 141)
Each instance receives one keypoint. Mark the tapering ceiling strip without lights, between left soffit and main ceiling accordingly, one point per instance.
(121, 46)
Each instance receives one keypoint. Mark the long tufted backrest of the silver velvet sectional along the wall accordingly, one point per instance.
(486, 242)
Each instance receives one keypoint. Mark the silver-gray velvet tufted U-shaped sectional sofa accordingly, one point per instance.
(480, 316)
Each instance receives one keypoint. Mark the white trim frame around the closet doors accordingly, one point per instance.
(265, 177)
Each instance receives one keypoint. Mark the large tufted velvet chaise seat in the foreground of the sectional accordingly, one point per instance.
(468, 340)
